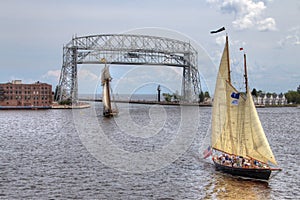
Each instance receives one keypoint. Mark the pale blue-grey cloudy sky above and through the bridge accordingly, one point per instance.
(33, 33)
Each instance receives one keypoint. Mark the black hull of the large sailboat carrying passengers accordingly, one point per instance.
(262, 174)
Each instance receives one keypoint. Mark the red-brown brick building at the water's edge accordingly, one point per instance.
(16, 93)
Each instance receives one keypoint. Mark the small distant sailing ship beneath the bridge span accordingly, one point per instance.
(106, 97)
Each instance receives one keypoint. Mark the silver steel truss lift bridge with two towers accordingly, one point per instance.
(125, 49)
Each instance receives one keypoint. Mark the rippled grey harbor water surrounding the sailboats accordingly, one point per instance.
(43, 156)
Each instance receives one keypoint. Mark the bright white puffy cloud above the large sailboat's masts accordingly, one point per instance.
(248, 14)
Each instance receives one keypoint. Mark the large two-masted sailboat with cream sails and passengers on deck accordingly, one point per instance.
(238, 142)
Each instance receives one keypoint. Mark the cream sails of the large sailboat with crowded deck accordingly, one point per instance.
(236, 128)
